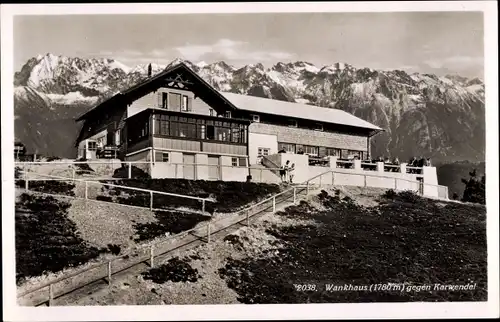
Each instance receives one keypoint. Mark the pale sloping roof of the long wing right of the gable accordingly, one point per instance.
(297, 110)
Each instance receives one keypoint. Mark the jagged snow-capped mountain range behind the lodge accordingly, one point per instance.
(439, 117)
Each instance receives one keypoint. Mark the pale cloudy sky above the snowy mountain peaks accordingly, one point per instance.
(426, 42)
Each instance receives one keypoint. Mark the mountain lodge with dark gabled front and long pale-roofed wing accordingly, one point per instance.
(181, 127)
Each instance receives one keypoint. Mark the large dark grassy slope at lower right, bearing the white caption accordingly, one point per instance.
(406, 239)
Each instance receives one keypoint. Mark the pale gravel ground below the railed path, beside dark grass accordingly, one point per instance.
(207, 259)
